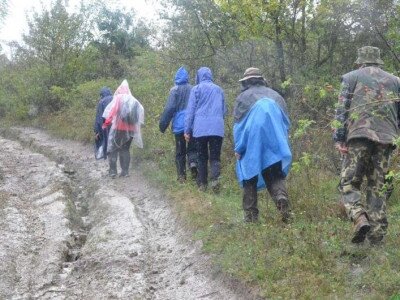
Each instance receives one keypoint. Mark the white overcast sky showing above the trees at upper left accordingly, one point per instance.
(15, 24)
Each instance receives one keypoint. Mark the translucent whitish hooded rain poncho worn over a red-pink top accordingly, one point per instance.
(125, 115)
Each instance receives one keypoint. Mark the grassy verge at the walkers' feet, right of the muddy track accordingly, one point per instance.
(311, 257)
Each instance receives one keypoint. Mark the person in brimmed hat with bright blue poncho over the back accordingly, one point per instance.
(261, 144)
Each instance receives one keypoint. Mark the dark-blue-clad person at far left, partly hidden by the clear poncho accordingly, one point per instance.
(100, 133)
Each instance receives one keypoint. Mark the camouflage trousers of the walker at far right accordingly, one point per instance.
(369, 159)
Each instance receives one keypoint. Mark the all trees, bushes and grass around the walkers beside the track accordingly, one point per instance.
(53, 79)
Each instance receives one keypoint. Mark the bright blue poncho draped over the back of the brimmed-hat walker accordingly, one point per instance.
(261, 138)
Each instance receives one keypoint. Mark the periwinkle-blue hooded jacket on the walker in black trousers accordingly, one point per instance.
(206, 108)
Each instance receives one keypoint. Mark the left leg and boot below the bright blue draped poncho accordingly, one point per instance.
(250, 200)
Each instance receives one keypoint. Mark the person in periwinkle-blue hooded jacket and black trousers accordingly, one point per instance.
(204, 121)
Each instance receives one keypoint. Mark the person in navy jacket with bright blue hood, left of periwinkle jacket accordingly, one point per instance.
(175, 111)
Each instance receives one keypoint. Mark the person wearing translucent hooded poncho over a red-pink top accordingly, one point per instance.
(123, 116)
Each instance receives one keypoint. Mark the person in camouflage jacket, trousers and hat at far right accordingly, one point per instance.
(367, 124)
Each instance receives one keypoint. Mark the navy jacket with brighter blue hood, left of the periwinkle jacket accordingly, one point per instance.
(176, 104)
